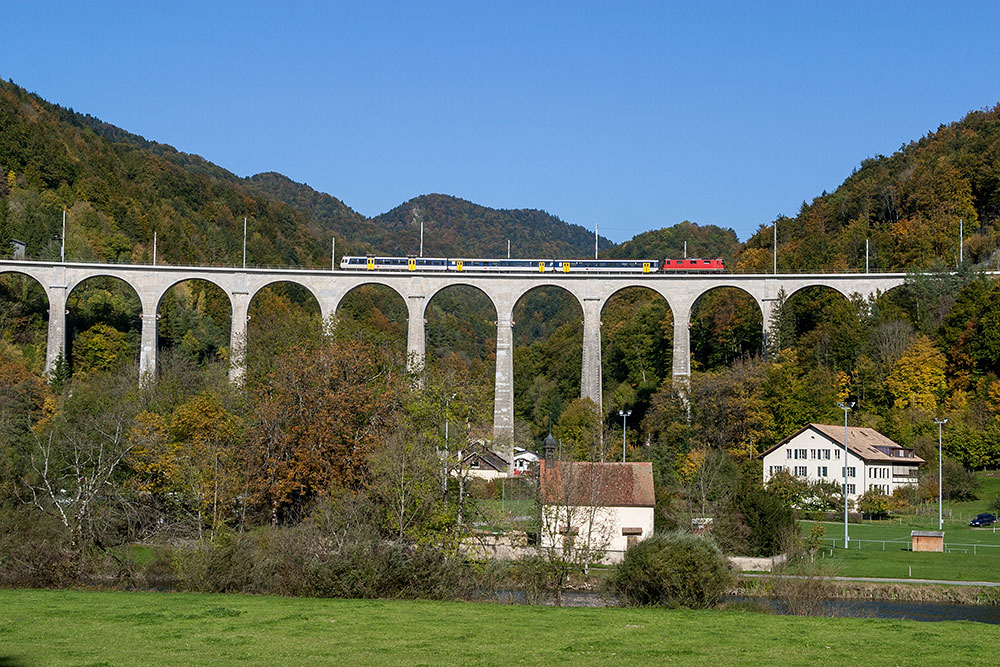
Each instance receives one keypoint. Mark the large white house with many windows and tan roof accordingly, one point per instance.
(816, 453)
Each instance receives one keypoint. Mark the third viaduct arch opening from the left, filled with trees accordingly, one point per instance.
(195, 322)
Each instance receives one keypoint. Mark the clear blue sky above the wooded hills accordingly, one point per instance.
(631, 115)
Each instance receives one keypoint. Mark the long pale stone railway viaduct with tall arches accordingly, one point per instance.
(592, 291)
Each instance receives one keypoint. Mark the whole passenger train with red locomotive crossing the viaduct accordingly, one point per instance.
(376, 263)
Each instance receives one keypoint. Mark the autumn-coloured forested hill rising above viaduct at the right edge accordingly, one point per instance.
(908, 204)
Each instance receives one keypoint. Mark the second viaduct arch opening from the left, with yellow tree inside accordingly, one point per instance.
(122, 312)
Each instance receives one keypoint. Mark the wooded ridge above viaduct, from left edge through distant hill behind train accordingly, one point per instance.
(119, 188)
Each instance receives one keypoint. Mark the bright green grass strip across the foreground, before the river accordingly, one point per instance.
(74, 628)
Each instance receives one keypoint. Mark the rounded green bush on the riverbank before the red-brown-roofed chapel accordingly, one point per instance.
(672, 569)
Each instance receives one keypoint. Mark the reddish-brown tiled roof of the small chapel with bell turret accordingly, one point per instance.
(597, 484)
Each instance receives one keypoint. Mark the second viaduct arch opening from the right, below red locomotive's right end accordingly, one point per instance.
(737, 330)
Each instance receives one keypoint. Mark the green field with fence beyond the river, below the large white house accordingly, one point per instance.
(963, 562)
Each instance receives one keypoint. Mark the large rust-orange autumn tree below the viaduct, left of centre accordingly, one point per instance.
(316, 422)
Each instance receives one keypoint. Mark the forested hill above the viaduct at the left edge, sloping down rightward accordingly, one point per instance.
(118, 189)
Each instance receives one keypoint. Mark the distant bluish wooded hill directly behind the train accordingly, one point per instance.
(454, 226)
